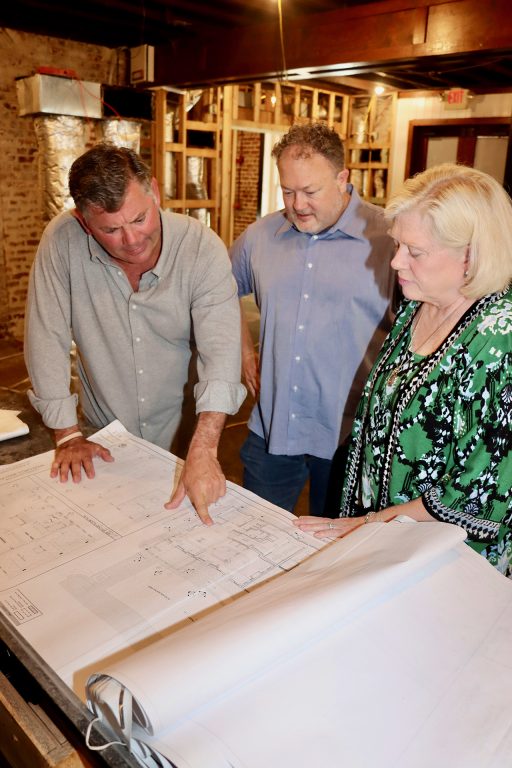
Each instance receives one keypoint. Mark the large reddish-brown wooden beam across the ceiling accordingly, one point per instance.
(339, 42)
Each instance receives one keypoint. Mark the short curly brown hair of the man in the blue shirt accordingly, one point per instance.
(313, 137)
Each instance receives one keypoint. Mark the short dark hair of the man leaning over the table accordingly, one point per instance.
(100, 176)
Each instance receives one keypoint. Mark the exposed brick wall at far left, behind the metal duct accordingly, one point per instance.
(21, 221)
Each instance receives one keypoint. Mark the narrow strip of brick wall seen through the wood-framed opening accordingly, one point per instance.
(248, 179)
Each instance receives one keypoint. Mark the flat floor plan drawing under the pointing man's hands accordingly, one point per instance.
(107, 564)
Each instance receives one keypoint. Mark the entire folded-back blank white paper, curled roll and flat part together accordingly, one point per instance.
(380, 659)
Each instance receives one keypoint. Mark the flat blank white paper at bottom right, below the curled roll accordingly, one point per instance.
(422, 679)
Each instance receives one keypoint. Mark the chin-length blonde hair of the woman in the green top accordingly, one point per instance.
(465, 207)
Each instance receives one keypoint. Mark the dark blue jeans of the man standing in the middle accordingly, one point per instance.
(280, 479)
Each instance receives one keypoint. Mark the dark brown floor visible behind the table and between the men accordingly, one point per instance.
(14, 383)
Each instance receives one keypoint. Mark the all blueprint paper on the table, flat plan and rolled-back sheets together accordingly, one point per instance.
(249, 644)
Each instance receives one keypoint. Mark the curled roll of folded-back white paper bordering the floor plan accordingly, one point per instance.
(243, 640)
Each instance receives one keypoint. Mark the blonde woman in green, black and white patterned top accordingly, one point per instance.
(432, 436)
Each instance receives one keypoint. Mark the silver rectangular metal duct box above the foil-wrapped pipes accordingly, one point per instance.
(58, 96)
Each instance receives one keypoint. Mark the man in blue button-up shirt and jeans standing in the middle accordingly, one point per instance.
(320, 274)
